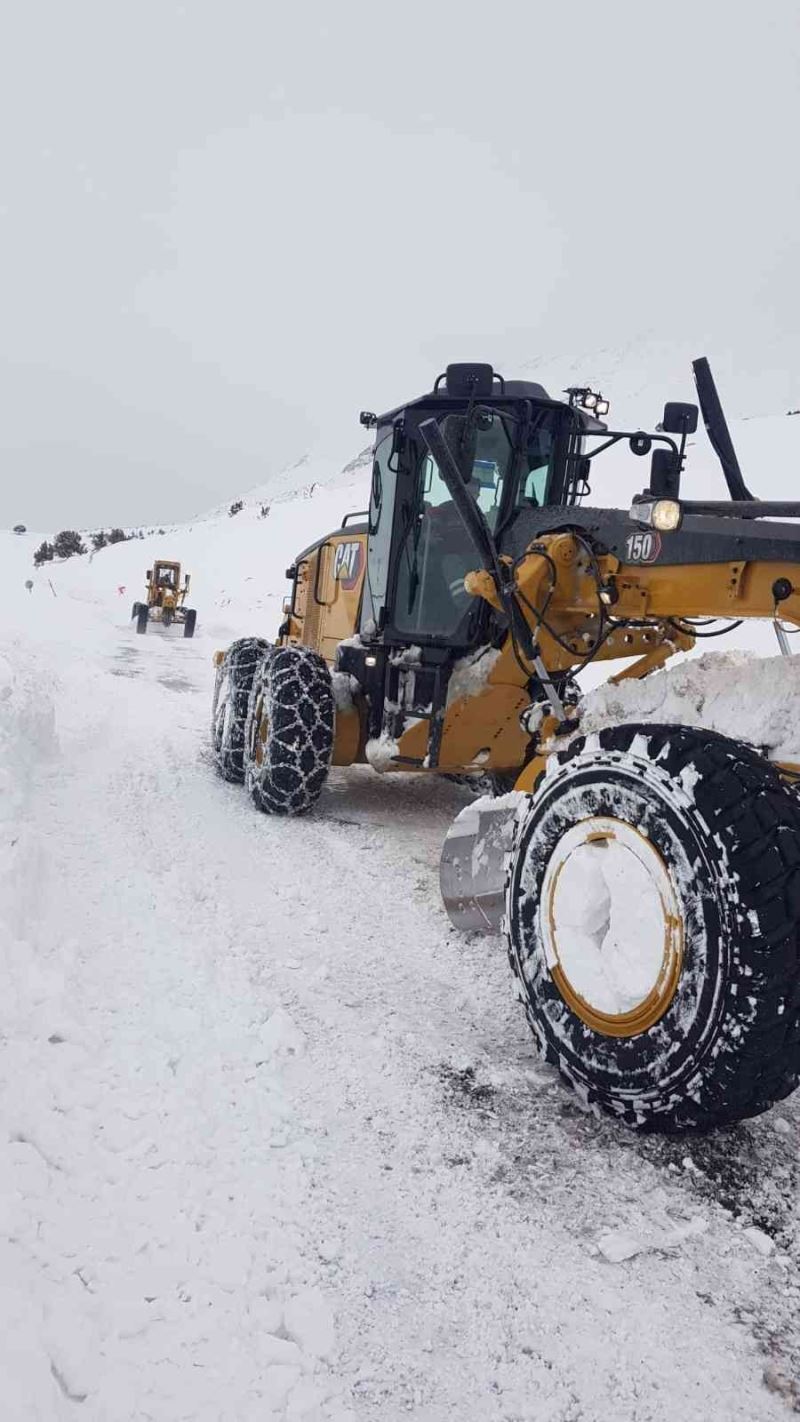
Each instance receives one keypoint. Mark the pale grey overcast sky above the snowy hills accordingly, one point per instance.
(227, 225)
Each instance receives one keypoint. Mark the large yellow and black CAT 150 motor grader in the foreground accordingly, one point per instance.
(646, 878)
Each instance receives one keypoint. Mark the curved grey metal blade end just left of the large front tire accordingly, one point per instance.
(472, 871)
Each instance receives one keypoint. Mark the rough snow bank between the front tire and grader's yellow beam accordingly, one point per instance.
(748, 697)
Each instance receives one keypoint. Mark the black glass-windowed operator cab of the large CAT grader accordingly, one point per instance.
(519, 450)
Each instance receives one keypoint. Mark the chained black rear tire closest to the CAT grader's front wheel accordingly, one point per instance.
(291, 732)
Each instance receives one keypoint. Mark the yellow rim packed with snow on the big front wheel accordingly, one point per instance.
(612, 926)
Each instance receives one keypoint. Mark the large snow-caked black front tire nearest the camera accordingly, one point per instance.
(727, 830)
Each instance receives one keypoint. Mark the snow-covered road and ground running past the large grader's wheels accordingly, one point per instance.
(275, 1138)
